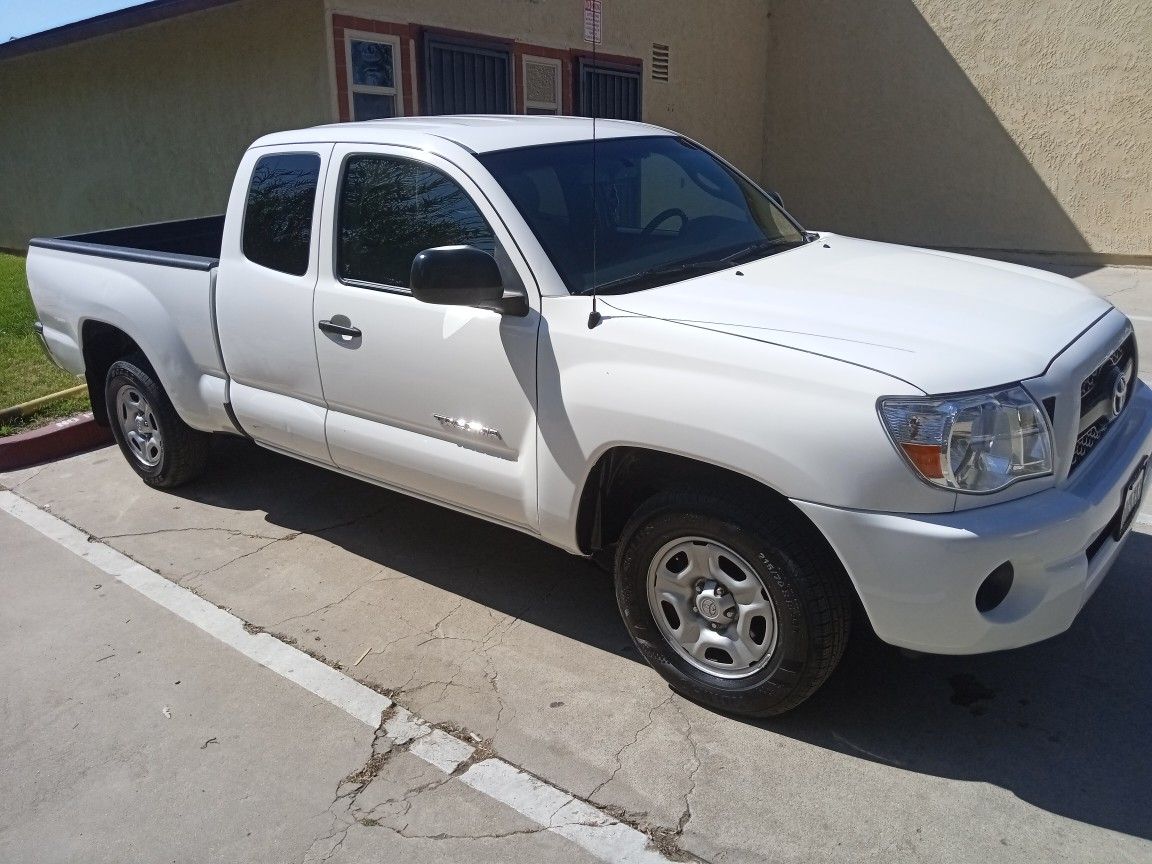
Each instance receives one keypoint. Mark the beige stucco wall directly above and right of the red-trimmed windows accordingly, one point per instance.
(717, 90)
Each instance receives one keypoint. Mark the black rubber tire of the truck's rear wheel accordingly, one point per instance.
(185, 451)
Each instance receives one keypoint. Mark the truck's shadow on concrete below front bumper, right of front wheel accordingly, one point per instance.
(1064, 725)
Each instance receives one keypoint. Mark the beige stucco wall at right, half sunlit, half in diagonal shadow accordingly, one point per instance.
(991, 124)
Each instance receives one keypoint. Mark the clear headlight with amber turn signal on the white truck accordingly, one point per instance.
(973, 443)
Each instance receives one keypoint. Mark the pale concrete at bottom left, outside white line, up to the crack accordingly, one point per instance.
(109, 704)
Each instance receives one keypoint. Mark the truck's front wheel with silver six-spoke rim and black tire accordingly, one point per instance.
(746, 612)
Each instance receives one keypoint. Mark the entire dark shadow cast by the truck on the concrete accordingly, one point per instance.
(1064, 725)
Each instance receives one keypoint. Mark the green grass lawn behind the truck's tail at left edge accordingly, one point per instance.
(25, 372)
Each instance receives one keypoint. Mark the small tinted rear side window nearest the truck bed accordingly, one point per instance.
(278, 218)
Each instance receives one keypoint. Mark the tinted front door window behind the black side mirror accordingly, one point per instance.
(391, 210)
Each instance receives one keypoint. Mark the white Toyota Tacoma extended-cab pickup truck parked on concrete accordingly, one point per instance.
(625, 347)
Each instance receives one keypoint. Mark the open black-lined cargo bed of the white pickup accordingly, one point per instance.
(188, 244)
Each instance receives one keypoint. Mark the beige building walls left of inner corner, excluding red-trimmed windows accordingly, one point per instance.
(148, 124)
